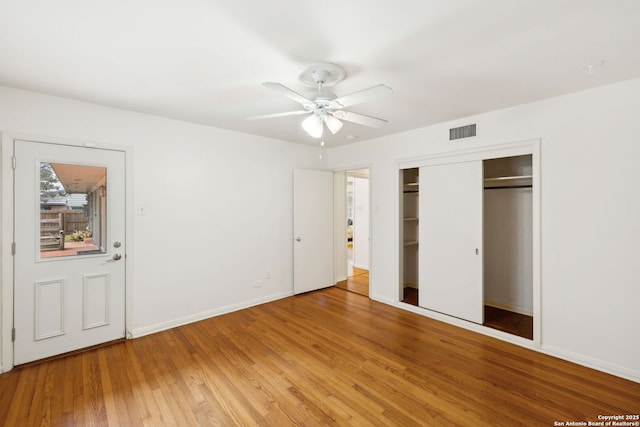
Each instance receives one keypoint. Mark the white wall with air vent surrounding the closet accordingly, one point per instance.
(590, 214)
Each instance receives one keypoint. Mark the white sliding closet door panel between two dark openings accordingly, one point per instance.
(450, 235)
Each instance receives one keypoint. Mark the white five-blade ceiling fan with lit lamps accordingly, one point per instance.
(325, 108)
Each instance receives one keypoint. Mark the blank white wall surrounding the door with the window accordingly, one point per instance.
(218, 206)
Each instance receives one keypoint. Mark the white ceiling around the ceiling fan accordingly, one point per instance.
(203, 61)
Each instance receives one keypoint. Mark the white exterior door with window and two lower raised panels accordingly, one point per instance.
(68, 295)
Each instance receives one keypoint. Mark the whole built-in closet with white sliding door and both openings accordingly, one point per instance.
(472, 215)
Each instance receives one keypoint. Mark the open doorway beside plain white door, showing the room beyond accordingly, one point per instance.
(355, 242)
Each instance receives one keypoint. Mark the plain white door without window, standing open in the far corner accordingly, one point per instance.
(312, 230)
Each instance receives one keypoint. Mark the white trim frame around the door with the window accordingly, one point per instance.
(7, 139)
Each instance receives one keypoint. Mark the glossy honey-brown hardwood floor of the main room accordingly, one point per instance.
(323, 358)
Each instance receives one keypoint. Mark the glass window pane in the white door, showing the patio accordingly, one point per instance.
(72, 209)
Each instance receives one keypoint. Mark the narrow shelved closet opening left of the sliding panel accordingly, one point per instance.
(410, 191)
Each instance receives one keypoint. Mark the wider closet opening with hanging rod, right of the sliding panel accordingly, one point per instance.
(508, 245)
